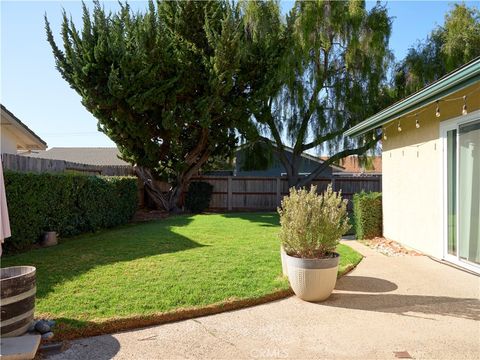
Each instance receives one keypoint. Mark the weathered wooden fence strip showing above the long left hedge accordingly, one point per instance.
(31, 164)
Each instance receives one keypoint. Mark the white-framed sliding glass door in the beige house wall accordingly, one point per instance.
(462, 191)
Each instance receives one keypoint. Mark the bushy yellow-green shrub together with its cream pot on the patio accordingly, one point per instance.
(311, 226)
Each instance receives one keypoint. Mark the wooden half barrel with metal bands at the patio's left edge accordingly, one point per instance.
(17, 290)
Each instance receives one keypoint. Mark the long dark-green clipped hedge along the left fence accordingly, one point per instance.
(69, 204)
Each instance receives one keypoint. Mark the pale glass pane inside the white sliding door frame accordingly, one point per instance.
(468, 192)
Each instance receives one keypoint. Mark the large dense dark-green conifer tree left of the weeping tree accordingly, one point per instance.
(163, 84)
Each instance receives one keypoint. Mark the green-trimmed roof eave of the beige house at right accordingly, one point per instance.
(458, 79)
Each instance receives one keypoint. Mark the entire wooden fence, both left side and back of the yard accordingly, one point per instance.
(230, 193)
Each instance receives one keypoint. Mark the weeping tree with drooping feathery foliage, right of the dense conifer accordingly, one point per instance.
(327, 73)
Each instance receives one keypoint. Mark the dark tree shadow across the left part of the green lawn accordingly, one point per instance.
(77, 255)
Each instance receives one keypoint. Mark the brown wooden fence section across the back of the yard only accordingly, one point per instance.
(231, 193)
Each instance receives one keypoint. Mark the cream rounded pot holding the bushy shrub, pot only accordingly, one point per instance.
(312, 279)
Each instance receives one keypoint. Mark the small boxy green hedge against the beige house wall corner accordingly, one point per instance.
(367, 213)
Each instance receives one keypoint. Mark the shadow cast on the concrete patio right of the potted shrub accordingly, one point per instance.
(464, 308)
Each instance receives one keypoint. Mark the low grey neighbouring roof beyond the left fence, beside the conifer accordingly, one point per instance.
(82, 155)
